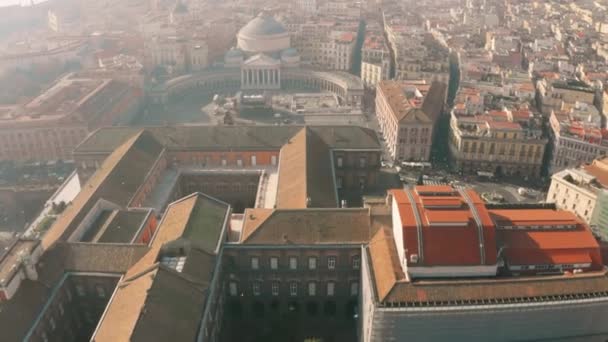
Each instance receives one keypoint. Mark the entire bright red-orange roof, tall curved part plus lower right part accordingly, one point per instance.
(449, 236)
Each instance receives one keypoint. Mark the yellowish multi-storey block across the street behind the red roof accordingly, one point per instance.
(502, 141)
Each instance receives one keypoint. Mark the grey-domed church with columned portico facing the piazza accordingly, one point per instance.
(263, 48)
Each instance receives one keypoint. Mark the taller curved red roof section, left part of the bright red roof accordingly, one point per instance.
(449, 235)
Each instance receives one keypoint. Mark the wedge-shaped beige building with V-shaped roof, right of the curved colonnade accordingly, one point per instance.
(407, 113)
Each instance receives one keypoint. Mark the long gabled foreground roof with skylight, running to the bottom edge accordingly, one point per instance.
(192, 219)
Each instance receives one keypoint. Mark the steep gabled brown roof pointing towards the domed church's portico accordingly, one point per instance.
(306, 174)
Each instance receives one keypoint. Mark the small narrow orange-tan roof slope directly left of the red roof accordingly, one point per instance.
(386, 268)
